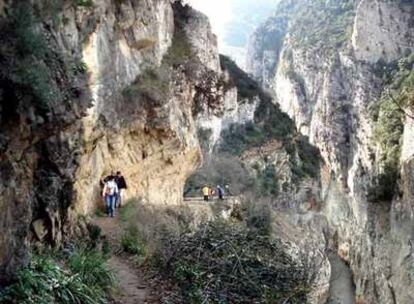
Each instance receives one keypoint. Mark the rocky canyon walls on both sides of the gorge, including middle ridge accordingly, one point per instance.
(139, 86)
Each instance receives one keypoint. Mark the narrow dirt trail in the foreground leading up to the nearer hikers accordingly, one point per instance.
(134, 287)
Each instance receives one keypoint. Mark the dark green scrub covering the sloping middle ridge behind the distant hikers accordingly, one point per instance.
(269, 124)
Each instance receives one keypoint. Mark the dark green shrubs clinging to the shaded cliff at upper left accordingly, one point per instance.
(31, 66)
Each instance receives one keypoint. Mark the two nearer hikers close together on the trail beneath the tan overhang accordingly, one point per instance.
(113, 186)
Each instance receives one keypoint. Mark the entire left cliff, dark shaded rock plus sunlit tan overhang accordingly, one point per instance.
(86, 89)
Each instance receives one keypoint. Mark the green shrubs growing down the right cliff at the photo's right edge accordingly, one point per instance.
(389, 115)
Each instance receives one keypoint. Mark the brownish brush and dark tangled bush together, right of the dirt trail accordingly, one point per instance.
(220, 261)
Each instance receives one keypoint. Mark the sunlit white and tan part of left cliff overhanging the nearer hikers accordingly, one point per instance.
(148, 142)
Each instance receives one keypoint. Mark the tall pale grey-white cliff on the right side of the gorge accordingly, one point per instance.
(328, 85)
